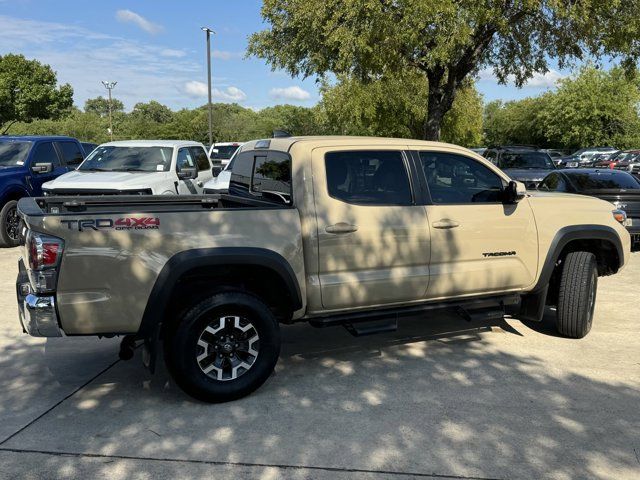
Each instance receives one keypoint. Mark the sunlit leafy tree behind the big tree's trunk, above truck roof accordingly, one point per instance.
(393, 107)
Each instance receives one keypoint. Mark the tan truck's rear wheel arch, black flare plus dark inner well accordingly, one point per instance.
(210, 269)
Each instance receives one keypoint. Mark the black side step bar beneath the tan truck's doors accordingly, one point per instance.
(473, 309)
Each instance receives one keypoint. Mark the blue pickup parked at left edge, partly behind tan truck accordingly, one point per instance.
(25, 164)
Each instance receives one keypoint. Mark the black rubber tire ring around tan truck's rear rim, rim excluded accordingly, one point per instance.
(181, 347)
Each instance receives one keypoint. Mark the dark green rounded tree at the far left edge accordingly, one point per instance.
(29, 91)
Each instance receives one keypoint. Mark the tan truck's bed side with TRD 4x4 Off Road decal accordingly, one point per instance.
(116, 247)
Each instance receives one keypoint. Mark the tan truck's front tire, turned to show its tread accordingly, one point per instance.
(577, 294)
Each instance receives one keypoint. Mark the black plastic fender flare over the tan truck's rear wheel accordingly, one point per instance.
(182, 262)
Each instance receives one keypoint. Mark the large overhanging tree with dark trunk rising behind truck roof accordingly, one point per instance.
(447, 41)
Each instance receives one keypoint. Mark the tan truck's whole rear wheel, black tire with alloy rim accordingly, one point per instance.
(203, 357)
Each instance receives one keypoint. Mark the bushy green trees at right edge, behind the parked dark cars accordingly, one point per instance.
(592, 108)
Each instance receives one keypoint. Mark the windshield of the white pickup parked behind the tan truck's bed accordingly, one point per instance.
(128, 159)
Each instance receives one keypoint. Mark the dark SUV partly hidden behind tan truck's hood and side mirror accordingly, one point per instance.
(526, 164)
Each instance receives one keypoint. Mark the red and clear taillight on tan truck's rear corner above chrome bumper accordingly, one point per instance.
(45, 253)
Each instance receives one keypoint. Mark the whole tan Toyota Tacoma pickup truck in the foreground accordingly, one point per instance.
(330, 230)
